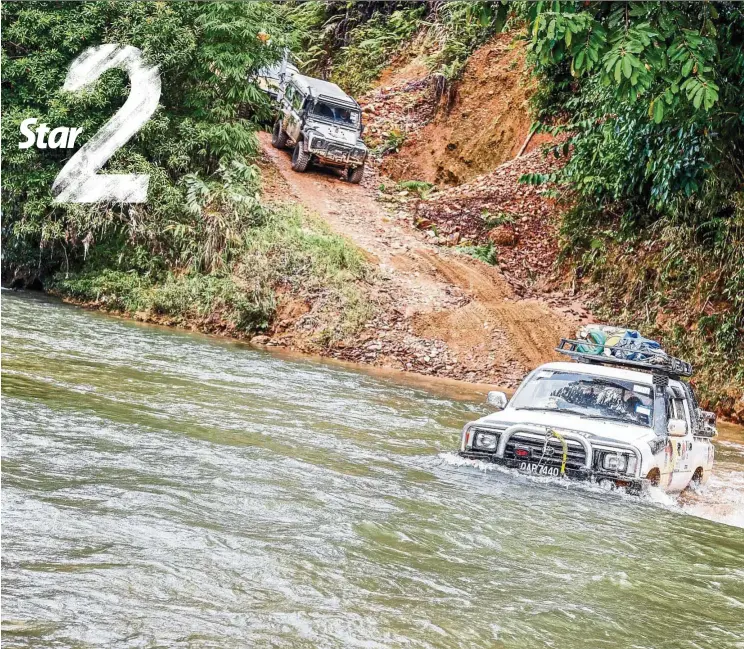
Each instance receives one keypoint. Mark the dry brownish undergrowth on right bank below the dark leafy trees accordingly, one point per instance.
(664, 283)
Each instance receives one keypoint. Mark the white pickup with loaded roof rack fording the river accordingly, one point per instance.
(625, 423)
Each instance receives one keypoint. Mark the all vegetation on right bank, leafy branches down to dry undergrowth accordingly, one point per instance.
(654, 177)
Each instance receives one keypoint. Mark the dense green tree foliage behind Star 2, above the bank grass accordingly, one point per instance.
(205, 52)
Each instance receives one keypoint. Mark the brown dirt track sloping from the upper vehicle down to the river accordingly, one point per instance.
(450, 315)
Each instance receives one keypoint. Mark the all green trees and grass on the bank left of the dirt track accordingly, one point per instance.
(203, 248)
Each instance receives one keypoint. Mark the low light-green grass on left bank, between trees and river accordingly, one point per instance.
(289, 253)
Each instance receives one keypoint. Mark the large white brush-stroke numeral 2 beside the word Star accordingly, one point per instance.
(78, 181)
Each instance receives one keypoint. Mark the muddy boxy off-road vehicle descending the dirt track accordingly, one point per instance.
(323, 124)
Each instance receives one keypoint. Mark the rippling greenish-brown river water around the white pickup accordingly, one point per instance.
(162, 489)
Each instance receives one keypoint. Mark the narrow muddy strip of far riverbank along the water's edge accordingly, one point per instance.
(221, 329)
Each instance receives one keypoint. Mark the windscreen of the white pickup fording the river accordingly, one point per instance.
(589, 396)
